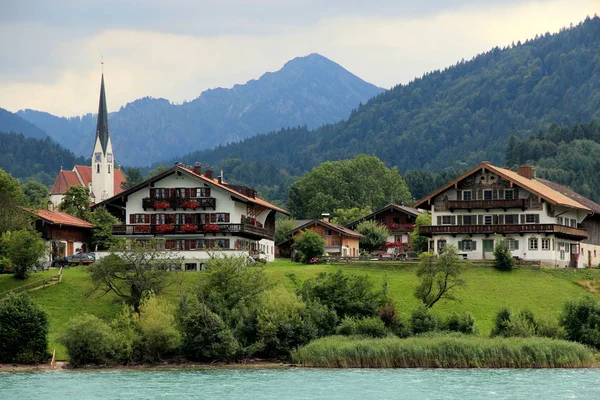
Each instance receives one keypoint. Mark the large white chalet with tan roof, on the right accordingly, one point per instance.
(542, 221)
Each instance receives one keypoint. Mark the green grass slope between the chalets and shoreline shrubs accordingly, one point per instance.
(543, 291)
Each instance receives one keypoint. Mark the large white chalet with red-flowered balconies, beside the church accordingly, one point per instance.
(196, 212)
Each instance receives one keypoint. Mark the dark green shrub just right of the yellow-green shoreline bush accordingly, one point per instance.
(205, 337)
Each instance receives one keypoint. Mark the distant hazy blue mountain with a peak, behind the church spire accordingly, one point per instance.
(310, 91)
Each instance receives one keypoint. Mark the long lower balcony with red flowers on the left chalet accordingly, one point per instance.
(192, 229)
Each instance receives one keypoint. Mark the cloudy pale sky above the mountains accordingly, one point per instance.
(52, 49)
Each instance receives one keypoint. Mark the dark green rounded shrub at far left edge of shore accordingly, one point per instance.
(23, 330)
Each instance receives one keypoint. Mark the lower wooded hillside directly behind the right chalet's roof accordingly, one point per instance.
(565, 155)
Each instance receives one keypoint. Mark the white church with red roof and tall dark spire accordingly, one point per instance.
(101, 177)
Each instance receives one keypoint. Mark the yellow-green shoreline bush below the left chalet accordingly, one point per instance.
(158, 327)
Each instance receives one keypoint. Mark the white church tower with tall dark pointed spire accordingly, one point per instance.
(103, 163)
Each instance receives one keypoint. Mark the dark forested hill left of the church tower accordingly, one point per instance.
(34, 159)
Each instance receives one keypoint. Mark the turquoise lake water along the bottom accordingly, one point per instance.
(302, 383)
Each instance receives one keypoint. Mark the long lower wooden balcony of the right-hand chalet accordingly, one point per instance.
(559, 230)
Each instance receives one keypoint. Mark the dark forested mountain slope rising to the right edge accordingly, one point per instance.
(452, 118)
